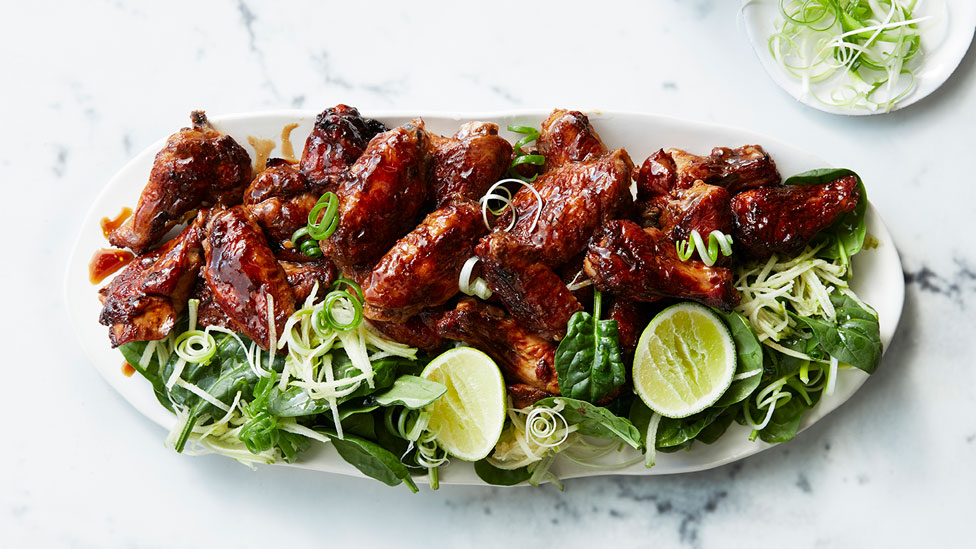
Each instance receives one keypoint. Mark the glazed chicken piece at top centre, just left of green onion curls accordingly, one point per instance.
(466, 165)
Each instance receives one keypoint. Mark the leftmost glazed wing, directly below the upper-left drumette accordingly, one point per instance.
(143, 302)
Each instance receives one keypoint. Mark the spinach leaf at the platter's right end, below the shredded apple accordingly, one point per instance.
(853, 338)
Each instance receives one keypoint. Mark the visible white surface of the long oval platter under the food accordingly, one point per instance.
(879, 279)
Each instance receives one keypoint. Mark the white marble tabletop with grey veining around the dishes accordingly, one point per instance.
(87, 85)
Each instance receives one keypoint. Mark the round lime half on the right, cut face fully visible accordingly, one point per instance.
(685, 360)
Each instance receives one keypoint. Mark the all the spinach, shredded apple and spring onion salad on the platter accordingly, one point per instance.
(335, 380)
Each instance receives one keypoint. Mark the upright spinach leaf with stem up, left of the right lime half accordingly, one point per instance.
(588, 363)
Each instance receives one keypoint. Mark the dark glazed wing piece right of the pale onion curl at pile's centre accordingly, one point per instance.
(531, 291)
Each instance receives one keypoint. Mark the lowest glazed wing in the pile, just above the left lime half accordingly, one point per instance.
(522, 356)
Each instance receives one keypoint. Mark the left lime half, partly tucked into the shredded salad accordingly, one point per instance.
(469, 418)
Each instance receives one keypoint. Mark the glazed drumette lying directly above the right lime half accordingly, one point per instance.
(643, 265)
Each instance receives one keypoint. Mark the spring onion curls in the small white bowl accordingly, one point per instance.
(851, 54)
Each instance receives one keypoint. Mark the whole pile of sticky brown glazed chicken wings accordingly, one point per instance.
(409, 218)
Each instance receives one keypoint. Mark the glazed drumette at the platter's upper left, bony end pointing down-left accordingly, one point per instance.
(199, 166)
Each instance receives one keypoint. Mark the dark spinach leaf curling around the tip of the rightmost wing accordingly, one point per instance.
(846, 235)
